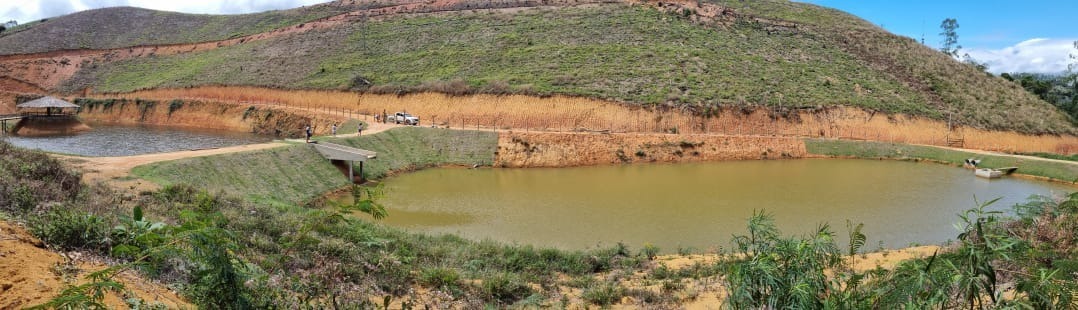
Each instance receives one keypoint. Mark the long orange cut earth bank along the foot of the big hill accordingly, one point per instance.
(560, 114)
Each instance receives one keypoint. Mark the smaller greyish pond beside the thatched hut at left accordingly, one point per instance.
(110, 140)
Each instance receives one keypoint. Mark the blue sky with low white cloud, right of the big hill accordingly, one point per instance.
(1011, 36)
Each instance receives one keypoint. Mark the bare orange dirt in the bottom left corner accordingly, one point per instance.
(33, 275)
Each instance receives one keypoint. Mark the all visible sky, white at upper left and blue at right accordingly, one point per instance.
(1010, 36)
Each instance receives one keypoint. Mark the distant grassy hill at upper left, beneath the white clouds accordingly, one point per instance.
(122, 27)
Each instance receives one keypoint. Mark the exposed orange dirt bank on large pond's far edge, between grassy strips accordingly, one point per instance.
(575, 149)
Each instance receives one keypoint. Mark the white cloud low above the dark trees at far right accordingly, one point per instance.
(1034, 57)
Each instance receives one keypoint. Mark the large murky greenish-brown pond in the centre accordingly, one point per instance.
(696, 205)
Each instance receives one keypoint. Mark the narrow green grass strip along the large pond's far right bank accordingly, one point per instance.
(1060, 172)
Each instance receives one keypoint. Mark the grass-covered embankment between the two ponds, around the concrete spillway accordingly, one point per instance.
(296, 175)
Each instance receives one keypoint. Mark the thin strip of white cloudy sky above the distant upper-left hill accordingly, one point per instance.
(34, 10)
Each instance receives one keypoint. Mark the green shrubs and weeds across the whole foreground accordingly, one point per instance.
(226, 253)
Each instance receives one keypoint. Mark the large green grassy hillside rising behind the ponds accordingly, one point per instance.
(699, 57)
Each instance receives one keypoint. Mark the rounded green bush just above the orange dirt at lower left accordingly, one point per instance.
(72, 230)
